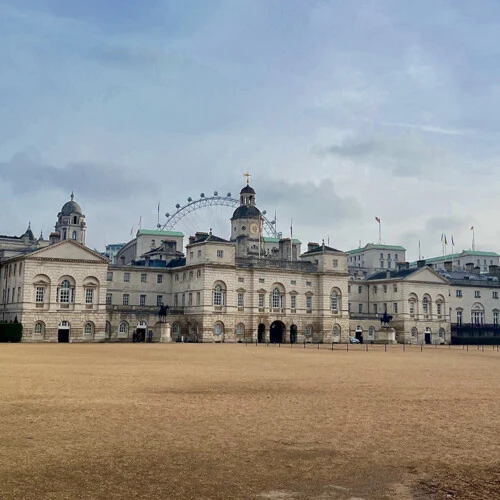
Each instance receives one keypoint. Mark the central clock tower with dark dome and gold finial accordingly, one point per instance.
(245, 224)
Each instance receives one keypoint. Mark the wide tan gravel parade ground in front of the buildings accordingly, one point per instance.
(235, 421)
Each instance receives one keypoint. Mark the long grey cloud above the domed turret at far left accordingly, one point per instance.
(26, 173)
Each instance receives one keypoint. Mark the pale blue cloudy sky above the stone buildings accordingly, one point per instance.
(341, 112)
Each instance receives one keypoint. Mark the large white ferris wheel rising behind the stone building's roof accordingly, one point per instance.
(209, 211)
